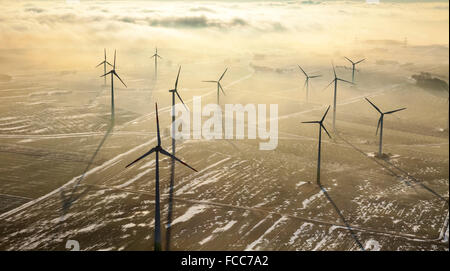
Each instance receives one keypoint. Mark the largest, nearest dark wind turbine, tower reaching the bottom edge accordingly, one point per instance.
(157, 150)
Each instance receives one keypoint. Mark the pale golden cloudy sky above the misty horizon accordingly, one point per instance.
(57, 23)
